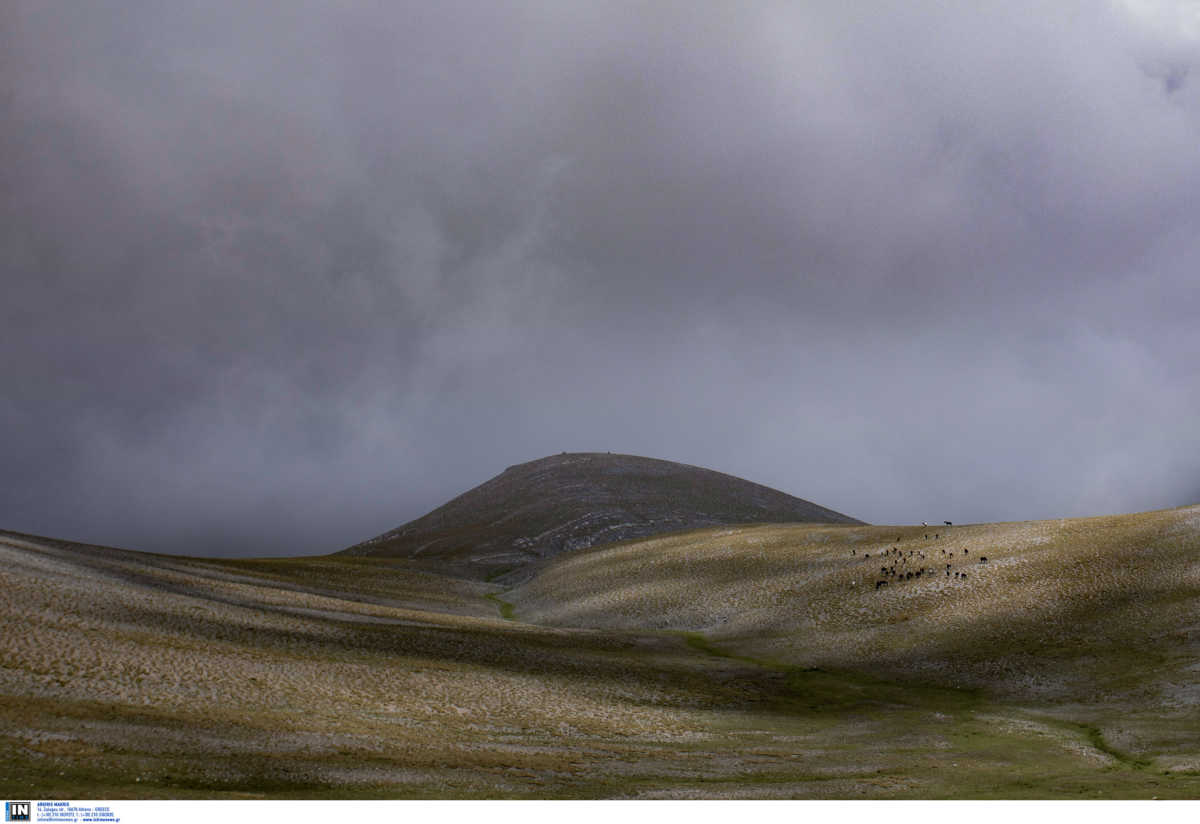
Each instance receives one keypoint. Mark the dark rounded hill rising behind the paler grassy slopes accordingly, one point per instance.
(577, 501)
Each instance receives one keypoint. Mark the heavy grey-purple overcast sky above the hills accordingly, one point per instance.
(280, 276)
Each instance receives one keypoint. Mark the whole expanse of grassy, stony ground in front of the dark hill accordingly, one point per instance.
(734, 663)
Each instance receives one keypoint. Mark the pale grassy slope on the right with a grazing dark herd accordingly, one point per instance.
(1075, 610)
